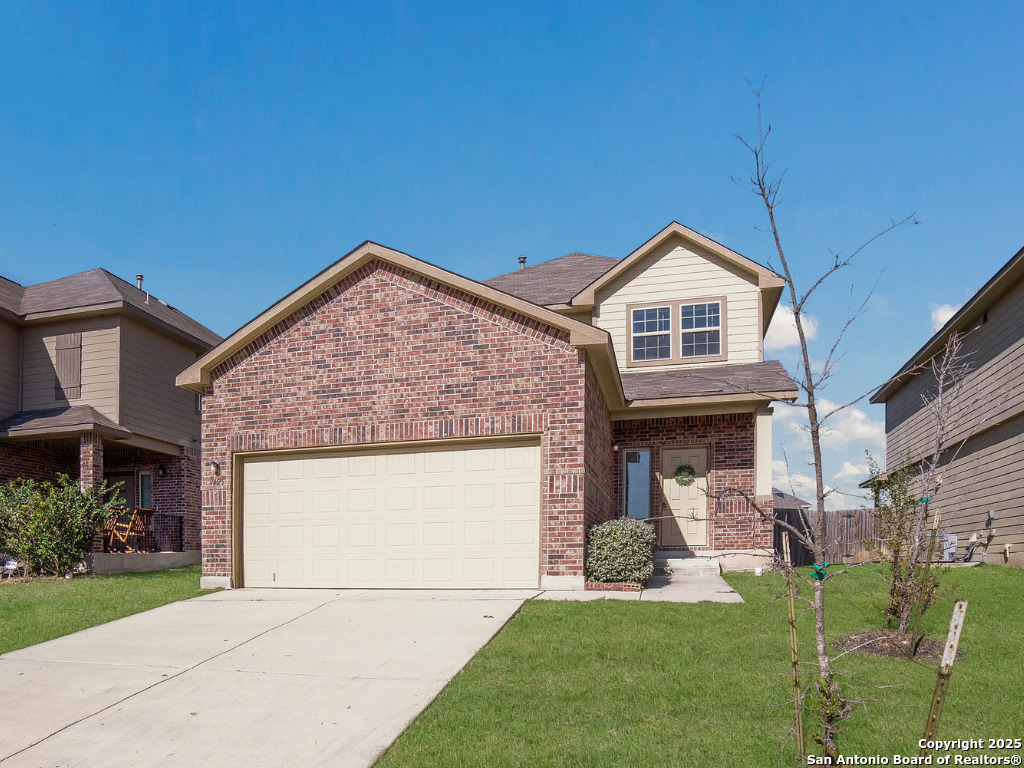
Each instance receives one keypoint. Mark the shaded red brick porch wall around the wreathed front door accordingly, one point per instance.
(733, 522)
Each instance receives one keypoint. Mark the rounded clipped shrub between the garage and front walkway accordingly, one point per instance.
(621, 550)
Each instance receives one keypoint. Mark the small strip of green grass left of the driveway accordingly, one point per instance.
(45, 609)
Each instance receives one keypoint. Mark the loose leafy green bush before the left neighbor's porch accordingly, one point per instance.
(50, 527)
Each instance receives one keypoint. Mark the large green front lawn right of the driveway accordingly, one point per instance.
(623, 684)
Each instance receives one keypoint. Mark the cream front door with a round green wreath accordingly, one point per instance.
(685, 507)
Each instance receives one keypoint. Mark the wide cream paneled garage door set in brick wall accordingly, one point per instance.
(441, 519)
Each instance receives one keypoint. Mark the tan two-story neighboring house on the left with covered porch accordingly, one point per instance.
(88, 367)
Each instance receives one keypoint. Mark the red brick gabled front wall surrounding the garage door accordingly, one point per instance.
(390, 356)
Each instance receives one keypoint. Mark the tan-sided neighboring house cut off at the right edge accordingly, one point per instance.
(983, 490)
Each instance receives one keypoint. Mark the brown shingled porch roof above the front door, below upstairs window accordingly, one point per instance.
(769, 378)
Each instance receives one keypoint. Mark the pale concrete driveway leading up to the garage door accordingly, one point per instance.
(243, 678)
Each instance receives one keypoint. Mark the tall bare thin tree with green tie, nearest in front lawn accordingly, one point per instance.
(829, 702)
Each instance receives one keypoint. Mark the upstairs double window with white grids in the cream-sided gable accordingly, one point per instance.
(677, 332)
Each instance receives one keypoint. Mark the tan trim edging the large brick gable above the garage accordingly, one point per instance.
(581, 335)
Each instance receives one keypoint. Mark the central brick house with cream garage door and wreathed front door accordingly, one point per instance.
(394, 424)
